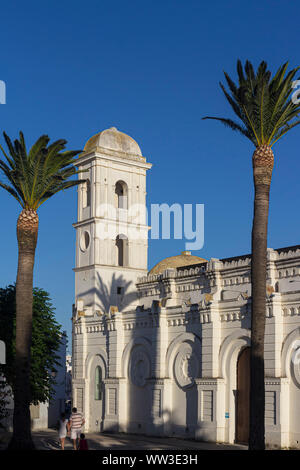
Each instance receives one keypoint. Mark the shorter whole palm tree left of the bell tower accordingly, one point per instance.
(31, 178)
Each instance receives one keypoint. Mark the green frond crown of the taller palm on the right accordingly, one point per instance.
(262, 103)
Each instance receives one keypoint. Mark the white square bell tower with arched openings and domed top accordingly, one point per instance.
(111, 230)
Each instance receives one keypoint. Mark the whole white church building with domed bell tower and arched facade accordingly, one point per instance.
(165, 352)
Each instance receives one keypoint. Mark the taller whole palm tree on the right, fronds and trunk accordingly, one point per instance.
(266, 113)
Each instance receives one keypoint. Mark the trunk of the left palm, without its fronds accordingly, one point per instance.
(27, 230)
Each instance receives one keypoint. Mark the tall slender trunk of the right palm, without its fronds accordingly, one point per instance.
(263, 161)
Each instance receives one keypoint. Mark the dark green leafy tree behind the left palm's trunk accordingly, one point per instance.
(46, 338)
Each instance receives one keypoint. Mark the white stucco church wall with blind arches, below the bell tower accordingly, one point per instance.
(149, 386)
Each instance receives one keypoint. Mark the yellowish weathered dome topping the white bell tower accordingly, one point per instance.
(112, 139)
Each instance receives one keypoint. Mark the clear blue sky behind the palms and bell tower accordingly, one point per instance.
(150, 68)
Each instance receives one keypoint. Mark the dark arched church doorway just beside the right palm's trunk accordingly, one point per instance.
(243, 397)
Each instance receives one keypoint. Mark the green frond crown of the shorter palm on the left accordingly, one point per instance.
(35, 176)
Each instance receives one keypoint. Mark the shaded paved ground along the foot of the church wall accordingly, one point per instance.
(48, 440)
